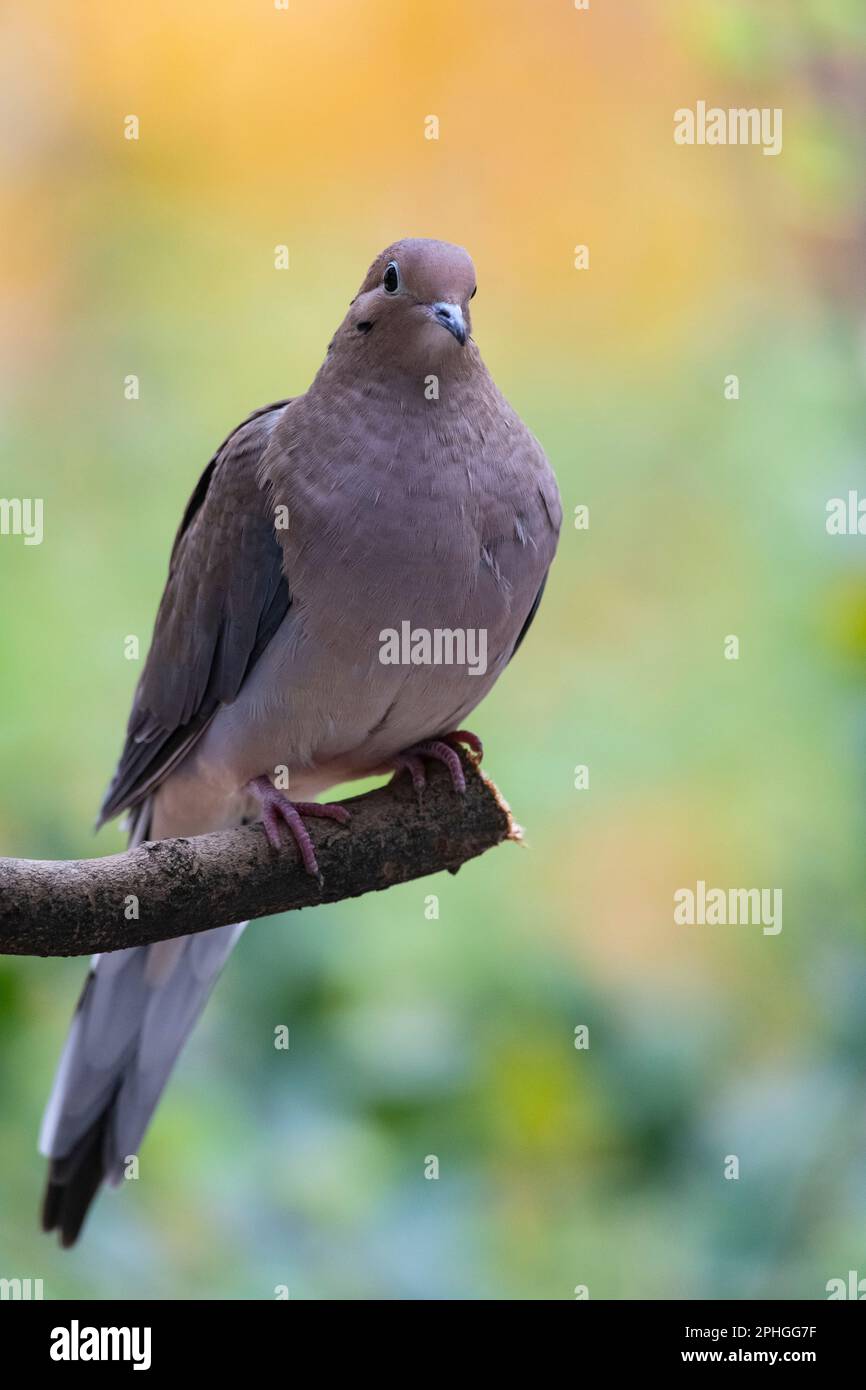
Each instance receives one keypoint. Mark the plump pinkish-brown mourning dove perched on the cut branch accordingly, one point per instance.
(354, 572)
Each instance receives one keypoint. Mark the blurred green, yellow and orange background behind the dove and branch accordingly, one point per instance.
(455, 1038)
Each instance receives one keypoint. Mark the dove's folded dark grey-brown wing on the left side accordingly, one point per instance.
(224, 600)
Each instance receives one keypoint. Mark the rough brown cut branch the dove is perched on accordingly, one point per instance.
(183, 886)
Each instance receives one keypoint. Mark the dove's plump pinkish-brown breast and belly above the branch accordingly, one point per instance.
(415, 553)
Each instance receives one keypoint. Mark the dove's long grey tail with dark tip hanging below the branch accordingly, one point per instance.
(136, 1013)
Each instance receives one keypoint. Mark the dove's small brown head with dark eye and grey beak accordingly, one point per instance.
(414, 306)
